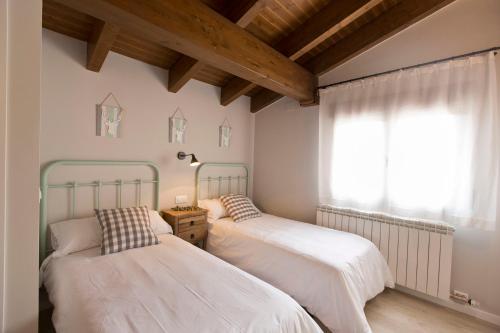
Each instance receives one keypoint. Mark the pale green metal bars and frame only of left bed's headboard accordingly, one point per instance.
(73, 186)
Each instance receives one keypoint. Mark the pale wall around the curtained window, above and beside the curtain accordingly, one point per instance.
(464, 26)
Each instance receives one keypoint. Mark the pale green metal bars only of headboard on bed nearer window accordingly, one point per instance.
(219, 179)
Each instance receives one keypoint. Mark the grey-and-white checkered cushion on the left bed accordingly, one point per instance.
(125, 228)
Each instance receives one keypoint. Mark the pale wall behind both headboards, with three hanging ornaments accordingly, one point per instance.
(70, 93)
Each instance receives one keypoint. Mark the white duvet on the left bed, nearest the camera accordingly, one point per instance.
(170, 287)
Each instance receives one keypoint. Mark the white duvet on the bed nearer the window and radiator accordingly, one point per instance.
(331, 273)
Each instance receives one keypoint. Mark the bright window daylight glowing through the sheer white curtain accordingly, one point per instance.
(411, 161)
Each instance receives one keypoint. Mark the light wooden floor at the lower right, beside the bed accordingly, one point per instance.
(395, 312)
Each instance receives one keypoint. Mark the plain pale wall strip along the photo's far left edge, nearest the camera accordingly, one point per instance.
(22, 162)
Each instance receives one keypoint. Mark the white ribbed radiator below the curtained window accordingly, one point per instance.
(417, 252)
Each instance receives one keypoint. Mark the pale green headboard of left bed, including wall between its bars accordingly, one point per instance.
(76, 187)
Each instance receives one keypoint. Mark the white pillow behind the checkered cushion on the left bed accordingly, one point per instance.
(80, 234)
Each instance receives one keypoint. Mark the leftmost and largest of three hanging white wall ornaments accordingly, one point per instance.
(108, 118)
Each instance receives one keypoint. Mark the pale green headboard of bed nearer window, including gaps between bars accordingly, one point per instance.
(216, 179)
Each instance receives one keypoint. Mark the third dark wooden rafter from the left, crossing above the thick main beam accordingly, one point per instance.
(322, 25)
